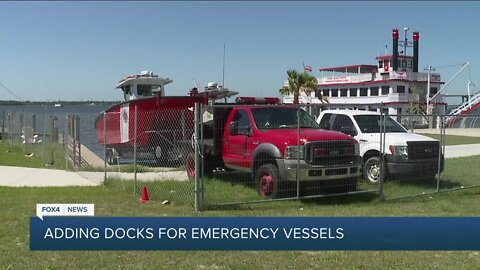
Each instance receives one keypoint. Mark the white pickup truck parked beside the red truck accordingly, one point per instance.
(407, 154)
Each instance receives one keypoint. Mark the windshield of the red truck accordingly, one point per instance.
(277, 117)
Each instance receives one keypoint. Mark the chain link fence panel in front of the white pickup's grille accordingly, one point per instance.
(413, 162)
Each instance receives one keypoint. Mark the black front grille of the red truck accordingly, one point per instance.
(329, 152)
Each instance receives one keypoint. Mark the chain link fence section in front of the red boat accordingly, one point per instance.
(149, 148)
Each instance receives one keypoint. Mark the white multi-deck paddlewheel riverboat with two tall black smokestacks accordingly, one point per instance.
(395, 80)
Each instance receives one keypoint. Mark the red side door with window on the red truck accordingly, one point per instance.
(235, 141)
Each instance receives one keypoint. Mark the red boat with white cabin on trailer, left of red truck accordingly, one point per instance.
(161, 126)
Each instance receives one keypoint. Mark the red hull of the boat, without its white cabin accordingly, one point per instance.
(149, 122)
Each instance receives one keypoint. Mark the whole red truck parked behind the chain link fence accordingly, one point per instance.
(278, 144)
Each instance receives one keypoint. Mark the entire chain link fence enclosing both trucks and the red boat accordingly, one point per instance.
(250, 153)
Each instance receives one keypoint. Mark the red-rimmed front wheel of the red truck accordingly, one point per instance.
(267, 180)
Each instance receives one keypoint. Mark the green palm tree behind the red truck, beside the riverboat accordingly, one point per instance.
(297, 83)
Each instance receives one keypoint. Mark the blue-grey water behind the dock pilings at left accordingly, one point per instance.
(87, 114)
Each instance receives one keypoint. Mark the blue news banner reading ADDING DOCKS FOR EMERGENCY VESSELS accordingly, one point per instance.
(253, 233)
